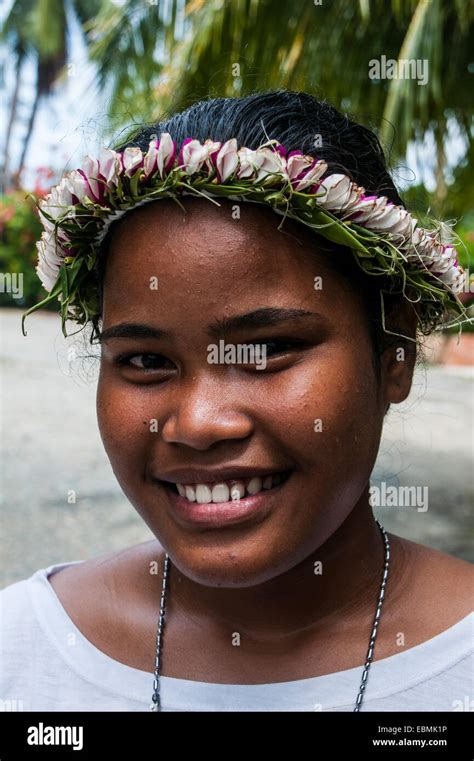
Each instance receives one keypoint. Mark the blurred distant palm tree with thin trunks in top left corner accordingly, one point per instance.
(38, 29)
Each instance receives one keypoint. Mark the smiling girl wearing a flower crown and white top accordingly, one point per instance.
(257, 289)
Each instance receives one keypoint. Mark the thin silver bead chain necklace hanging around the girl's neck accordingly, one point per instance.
(156, 699)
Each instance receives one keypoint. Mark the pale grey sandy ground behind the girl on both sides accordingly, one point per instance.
(51, 445)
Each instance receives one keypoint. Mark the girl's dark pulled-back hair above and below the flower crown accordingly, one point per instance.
(299, 122)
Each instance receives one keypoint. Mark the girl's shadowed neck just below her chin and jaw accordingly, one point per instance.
(352, 562)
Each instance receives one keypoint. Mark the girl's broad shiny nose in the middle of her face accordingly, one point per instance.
(204, 411)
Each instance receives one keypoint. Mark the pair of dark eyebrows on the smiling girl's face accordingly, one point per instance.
(259, 318)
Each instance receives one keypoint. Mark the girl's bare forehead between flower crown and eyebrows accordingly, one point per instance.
(208, 257)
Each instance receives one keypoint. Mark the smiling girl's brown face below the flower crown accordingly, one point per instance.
(309, 407)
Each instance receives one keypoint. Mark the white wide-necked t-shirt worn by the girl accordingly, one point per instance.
(48, 665)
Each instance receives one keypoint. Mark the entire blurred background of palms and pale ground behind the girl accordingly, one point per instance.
(75, 75)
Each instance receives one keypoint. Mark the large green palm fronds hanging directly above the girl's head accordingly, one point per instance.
(234, 47)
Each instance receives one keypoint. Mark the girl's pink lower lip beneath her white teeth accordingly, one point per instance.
(222, 514)
